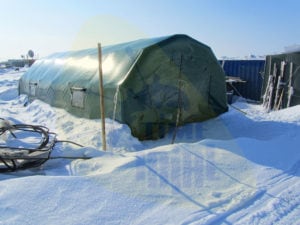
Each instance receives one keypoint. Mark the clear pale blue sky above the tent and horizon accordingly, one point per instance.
(233, 28)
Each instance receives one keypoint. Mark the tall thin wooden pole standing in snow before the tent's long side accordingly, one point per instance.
(101, 94)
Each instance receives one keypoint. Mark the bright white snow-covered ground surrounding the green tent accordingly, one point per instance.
(239, 168)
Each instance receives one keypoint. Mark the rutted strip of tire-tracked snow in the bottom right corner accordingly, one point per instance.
(278, 205)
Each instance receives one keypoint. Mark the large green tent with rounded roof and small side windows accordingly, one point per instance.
(149, 84)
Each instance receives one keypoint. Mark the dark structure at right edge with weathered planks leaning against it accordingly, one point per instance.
(288, 87)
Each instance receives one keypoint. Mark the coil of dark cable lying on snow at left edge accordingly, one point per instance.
(17, 156)
